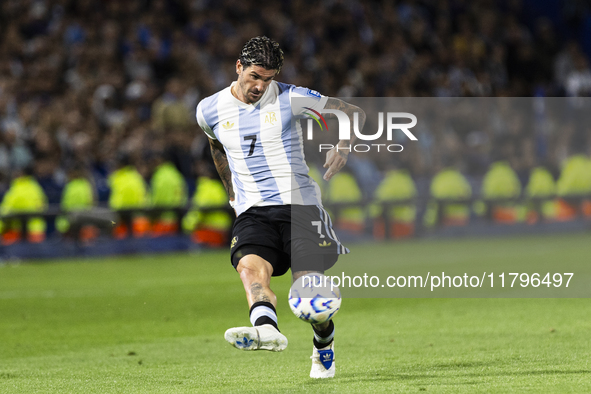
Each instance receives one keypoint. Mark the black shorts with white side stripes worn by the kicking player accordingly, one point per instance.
(299, 237)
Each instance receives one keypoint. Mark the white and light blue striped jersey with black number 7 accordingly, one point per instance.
(264, 147)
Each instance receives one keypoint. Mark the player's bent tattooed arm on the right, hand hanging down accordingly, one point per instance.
(336, 158)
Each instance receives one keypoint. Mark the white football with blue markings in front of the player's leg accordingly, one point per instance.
(314, 299)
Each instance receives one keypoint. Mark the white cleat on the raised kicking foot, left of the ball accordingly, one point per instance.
(265, 337)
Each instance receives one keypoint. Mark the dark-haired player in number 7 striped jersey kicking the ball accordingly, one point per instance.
(280, 220)
